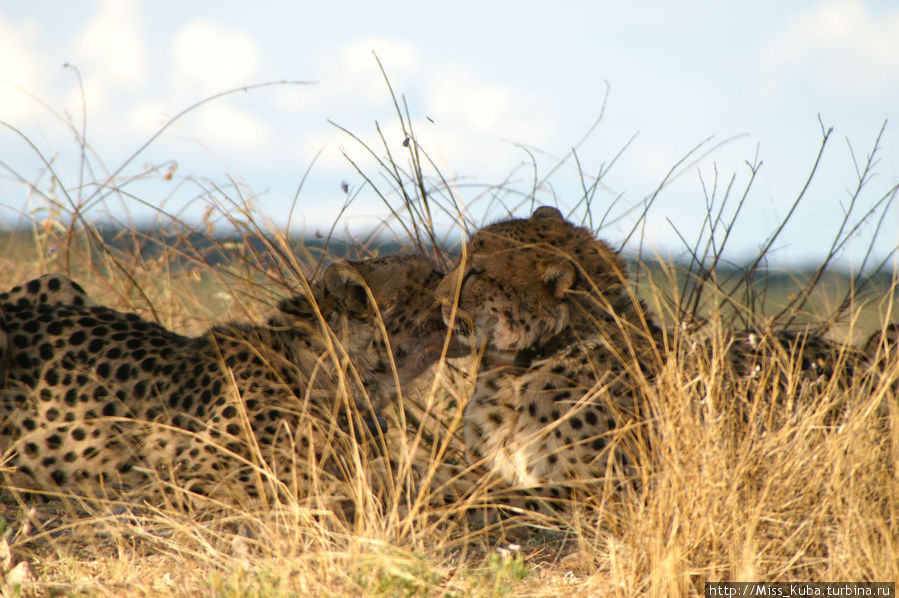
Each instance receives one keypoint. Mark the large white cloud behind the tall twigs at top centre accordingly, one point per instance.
(466, 123)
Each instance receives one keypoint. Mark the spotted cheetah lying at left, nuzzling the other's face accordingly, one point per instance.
(107, 403)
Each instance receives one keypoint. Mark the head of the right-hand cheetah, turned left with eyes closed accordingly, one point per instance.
(522, 282)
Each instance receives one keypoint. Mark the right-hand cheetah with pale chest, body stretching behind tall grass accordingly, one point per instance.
(568, 352)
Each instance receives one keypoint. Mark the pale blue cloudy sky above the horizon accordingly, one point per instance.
(482, 82)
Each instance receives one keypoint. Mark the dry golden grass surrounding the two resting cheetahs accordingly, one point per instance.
(717, 502)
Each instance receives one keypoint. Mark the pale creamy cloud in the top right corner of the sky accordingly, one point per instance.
(841, 48)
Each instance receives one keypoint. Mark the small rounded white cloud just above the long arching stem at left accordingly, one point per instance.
(213, 58)
